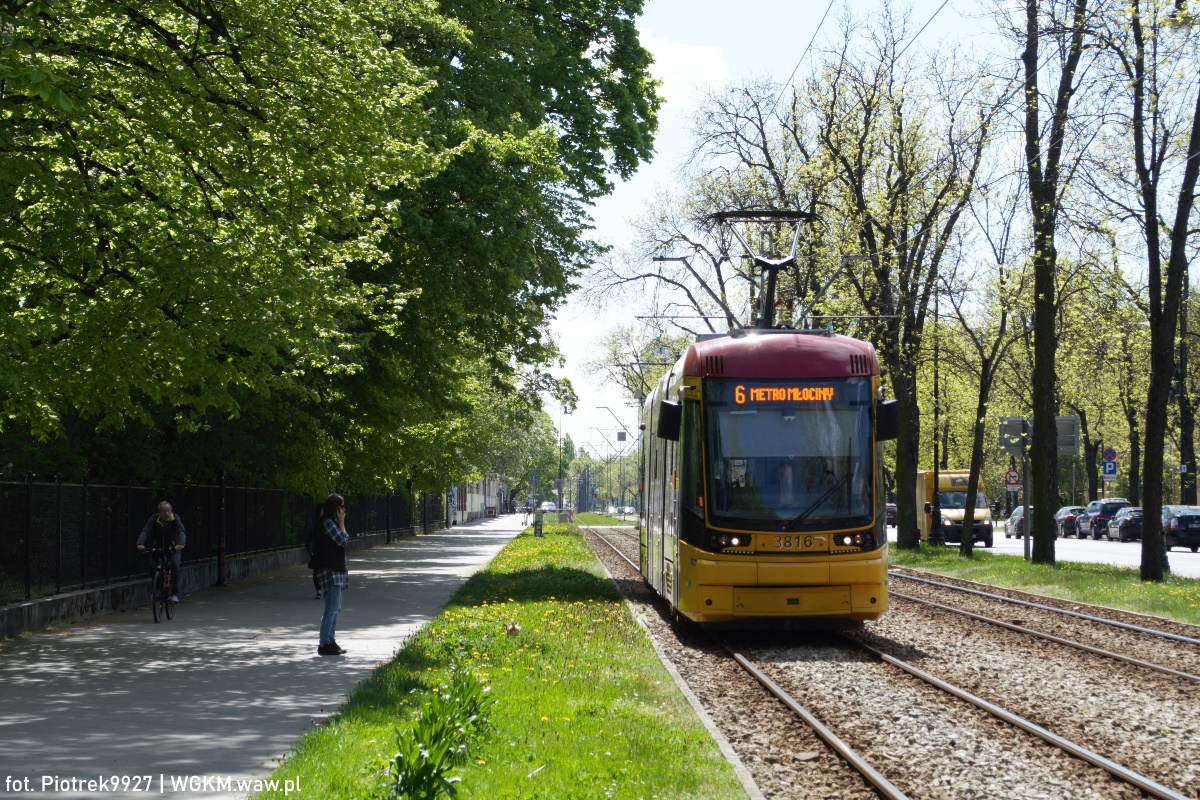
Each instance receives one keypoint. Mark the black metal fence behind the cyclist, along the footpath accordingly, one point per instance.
(65, 537)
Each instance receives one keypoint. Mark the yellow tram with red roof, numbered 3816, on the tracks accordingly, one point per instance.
(764, 497)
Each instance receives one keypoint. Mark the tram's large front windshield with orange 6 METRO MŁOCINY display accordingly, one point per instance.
(790, 454)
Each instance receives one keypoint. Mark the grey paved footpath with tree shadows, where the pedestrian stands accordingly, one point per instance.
(225, 689)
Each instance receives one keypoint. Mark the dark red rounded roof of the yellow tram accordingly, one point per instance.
(781, 354)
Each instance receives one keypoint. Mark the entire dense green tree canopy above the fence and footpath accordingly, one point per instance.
(309, 245)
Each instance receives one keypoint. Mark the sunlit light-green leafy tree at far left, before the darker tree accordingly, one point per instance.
(183, 230)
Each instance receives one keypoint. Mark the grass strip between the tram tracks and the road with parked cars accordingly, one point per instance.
(1101, 585)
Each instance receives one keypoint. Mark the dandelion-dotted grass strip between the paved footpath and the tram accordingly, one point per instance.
(583, 706)
